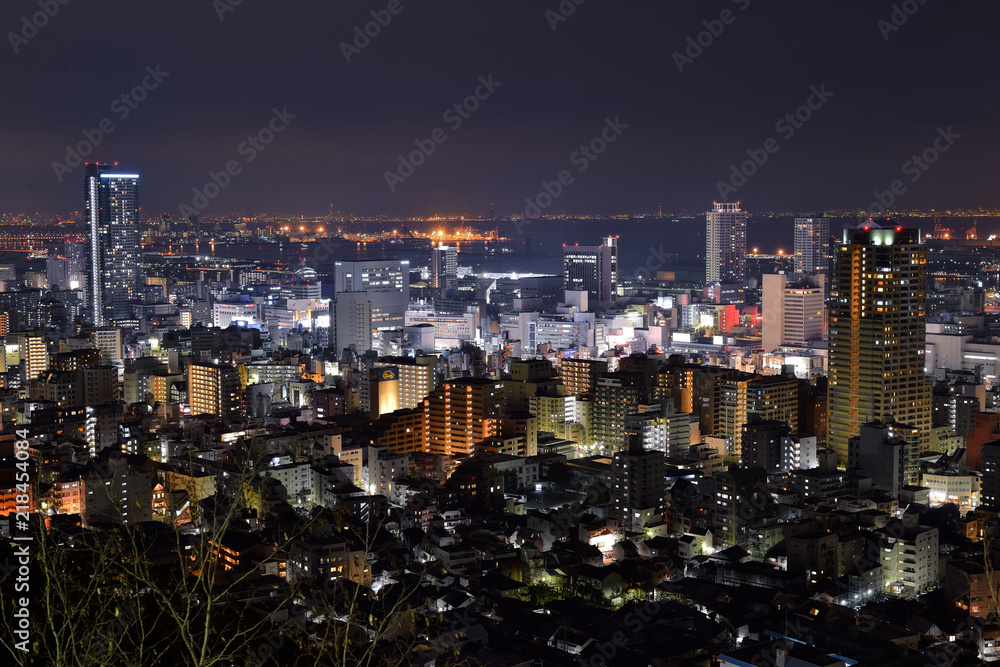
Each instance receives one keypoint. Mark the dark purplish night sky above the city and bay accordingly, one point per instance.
(608, 59)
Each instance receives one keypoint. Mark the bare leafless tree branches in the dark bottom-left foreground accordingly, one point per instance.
(162, 594)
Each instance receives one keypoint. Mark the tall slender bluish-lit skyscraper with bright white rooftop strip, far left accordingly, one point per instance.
(111, 201)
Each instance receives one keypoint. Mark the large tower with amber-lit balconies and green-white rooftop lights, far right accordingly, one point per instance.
(877, 334)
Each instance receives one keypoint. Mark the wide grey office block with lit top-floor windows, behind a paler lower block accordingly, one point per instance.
(387, 282)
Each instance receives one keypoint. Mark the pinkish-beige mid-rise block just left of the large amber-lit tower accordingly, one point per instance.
(794, 312)
